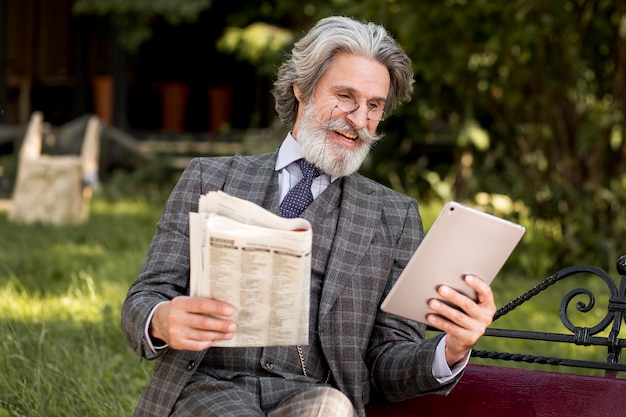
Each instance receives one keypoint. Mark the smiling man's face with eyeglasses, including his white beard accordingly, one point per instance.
(337, 141)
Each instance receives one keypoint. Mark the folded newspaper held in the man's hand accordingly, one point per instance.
(257, 261)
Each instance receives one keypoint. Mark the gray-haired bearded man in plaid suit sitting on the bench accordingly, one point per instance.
(342, 78)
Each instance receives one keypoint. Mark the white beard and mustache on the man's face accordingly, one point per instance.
(329, 156)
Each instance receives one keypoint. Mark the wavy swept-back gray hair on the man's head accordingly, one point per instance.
(312, 55)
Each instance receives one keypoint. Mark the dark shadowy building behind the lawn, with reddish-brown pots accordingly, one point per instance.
(66, 65)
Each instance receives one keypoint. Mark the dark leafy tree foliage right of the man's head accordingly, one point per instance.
(545, 84)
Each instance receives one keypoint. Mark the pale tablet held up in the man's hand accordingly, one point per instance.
(461, 241)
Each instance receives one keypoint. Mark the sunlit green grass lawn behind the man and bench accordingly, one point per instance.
(62, 352)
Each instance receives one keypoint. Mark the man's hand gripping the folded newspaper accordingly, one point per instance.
(189, 323)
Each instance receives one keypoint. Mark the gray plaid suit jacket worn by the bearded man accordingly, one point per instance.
(377, 233)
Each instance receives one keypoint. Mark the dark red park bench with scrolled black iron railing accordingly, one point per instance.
(488, 390)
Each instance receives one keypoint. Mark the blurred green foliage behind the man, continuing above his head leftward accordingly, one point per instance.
(523, 98)
